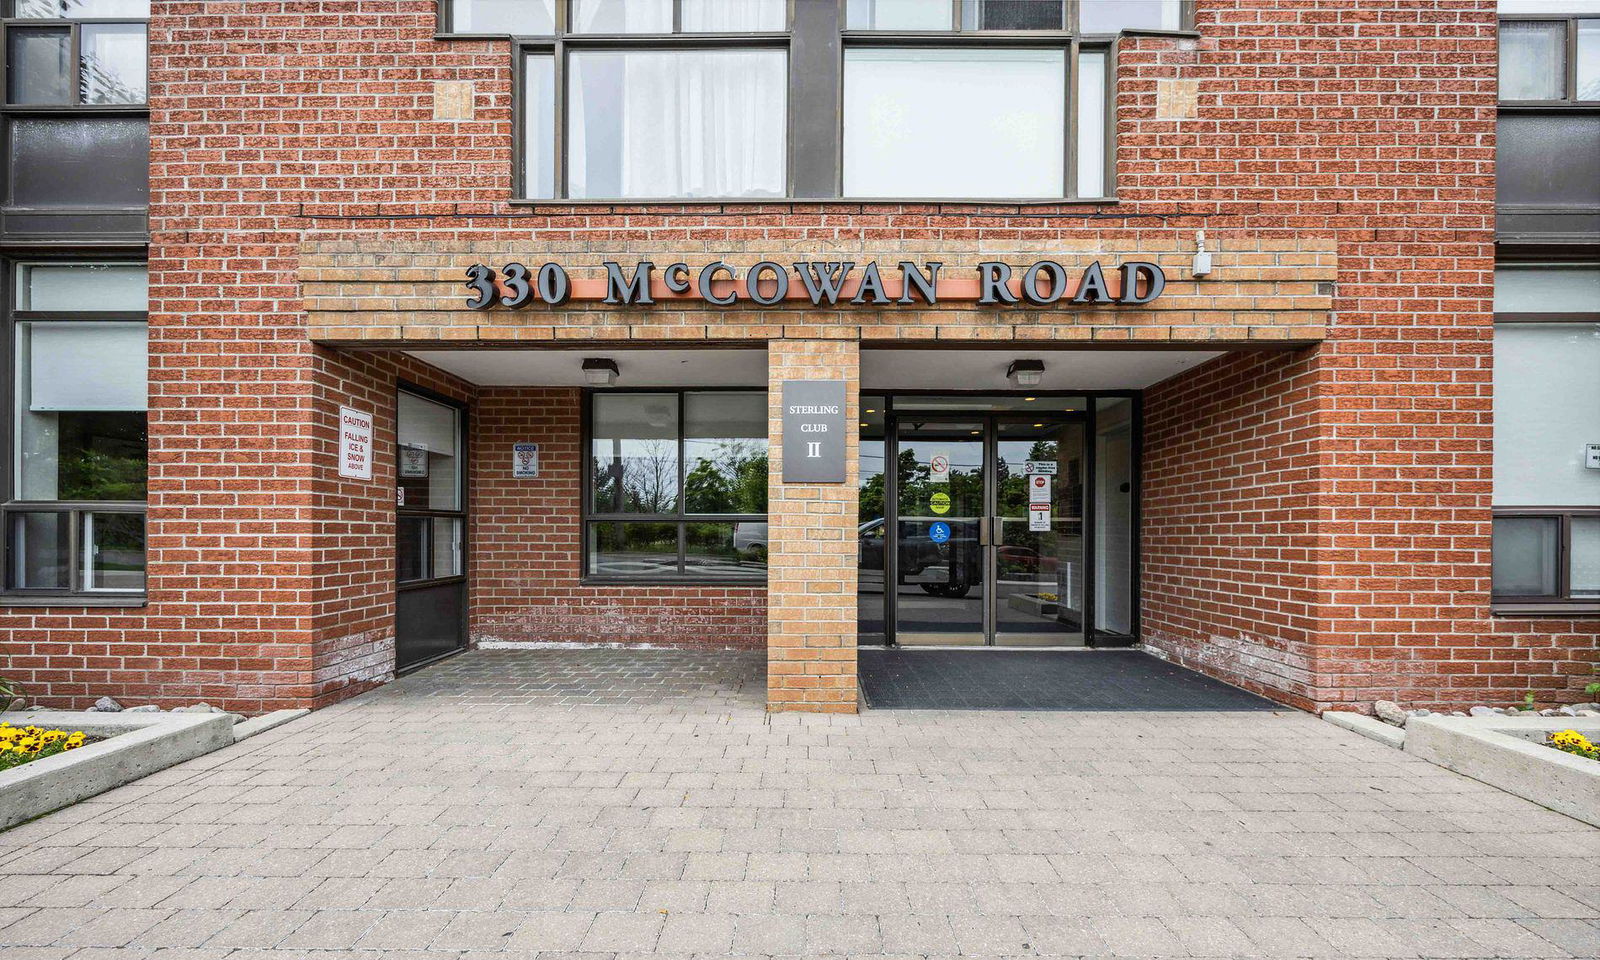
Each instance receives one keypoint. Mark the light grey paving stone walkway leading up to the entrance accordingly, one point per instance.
(490, 809)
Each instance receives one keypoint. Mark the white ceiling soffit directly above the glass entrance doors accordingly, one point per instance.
(985, 370)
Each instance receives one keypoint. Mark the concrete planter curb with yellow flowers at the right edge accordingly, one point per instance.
(1510, 753)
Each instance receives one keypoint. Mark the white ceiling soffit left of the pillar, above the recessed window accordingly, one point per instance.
(636, 369)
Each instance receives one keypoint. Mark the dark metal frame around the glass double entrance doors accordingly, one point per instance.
(1089, 417)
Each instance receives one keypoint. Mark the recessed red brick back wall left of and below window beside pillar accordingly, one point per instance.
(526, 546)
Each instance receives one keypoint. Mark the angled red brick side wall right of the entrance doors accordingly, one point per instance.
(1231, 521)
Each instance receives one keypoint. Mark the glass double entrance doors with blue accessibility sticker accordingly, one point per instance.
(988, 532)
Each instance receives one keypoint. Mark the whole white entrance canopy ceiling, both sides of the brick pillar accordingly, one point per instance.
(881, 370)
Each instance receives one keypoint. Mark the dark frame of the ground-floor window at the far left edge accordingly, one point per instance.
(78, 593)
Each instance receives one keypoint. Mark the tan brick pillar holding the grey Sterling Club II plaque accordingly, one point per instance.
(812, 548)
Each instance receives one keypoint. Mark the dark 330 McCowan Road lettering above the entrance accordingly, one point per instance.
(820, 282)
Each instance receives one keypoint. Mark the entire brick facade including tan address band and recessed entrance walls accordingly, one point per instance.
(1318, 516)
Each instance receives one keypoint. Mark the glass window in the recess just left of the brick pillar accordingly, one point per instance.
(678, 486)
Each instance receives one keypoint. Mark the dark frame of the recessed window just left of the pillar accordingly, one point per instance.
(681, 518)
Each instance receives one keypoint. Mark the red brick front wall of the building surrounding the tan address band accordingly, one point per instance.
(1374, 121)
